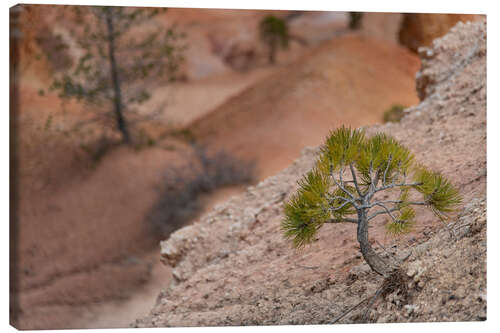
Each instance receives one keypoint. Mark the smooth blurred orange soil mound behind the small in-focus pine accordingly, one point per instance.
(350, 80)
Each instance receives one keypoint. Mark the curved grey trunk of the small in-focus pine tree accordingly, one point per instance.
(371, 257)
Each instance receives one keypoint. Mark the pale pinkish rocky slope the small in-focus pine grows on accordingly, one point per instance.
(232, 267)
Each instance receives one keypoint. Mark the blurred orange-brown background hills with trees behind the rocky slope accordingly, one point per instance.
(128, 123)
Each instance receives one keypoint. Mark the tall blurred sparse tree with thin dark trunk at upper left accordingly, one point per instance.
(123, 54)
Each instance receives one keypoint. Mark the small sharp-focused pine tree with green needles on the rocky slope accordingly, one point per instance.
(355, 175)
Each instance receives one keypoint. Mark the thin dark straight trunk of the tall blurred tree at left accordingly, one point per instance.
(117, 100)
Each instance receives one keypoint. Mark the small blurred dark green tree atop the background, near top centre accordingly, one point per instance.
(274, 33)
